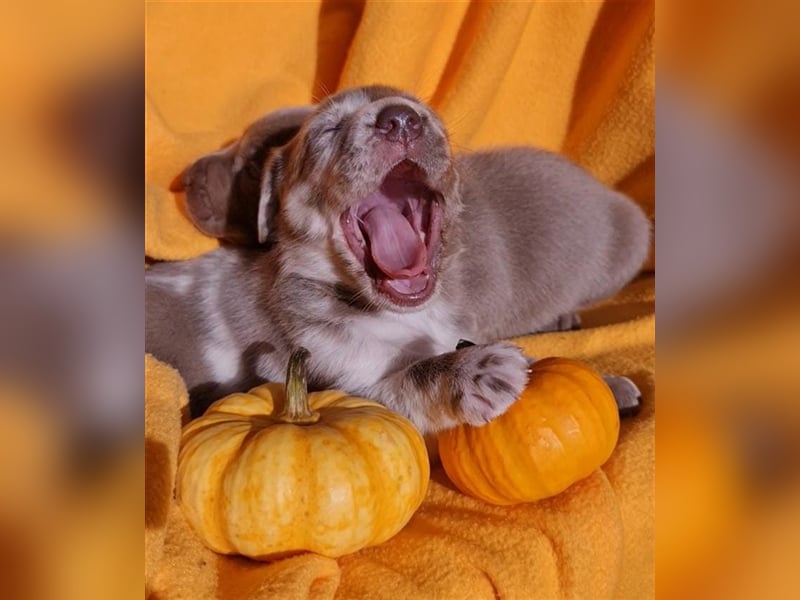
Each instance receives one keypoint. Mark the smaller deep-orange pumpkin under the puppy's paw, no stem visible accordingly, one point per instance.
(564, 426)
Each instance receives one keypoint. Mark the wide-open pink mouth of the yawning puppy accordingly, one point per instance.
(394, 233)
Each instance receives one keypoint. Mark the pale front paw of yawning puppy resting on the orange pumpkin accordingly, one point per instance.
(488, 380)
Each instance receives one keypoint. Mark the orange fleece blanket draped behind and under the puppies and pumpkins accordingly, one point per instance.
(577, 78)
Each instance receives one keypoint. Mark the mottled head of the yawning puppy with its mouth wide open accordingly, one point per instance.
(363, 197)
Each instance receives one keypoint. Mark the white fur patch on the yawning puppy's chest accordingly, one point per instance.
(371, 347)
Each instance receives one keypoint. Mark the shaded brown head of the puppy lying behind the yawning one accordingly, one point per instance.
(224, 189)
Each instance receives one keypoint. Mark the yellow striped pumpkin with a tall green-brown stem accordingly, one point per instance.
(330, 473)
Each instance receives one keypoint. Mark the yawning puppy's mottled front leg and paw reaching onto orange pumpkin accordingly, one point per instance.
(472, 385)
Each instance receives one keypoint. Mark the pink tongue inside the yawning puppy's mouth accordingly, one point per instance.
(394, 244)
